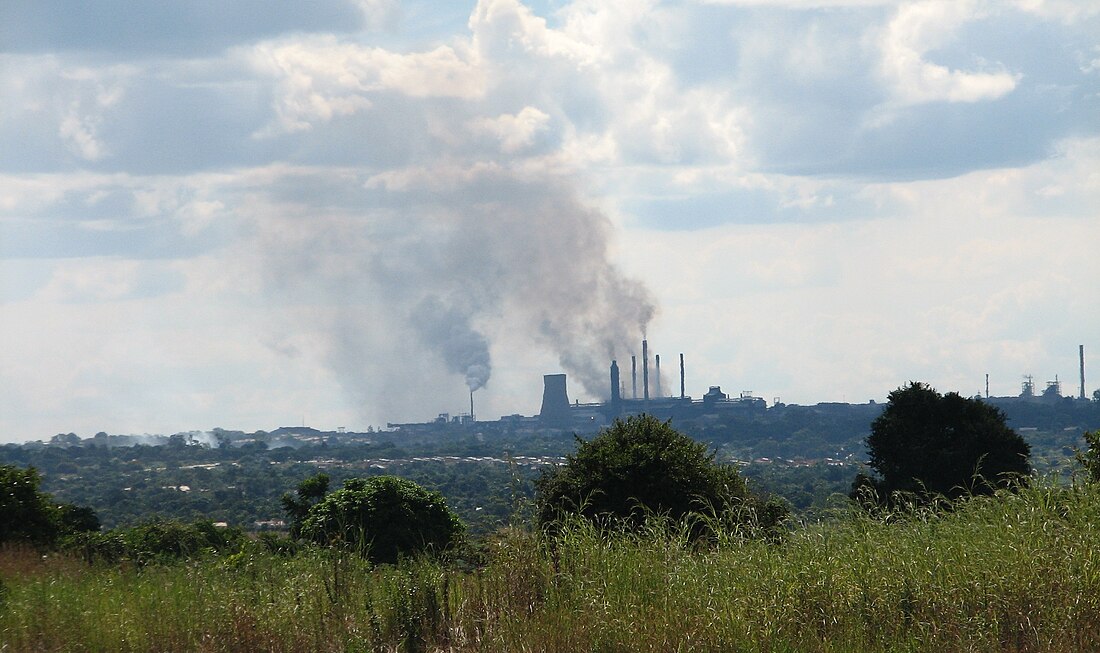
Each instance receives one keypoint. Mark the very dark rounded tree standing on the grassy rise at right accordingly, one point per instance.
(928, 445)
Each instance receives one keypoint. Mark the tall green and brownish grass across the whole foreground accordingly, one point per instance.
(1014, 573)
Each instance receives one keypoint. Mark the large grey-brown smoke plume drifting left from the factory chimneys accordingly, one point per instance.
(438, 261)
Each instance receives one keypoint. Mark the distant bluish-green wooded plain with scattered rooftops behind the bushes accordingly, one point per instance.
(806, 455)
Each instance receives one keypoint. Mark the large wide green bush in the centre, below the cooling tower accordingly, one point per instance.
(641, 467)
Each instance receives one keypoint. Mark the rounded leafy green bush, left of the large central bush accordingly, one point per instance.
(383, 518)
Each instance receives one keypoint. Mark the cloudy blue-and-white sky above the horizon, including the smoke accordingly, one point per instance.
(350, 213)
